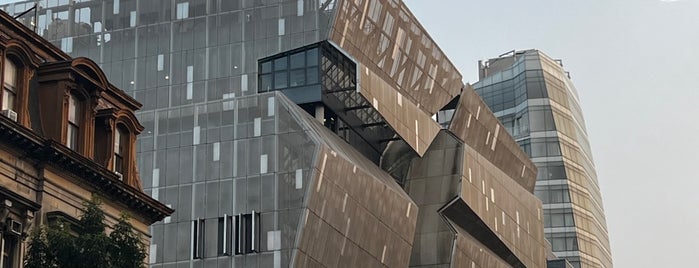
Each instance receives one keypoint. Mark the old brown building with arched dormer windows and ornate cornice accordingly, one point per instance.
(66, 135)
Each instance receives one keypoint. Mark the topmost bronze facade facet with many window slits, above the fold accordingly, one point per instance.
(386, 37)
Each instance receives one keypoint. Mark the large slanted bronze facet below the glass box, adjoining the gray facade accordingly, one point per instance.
(357, 215)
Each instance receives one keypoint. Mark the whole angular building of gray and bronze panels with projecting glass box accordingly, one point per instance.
(300, 133)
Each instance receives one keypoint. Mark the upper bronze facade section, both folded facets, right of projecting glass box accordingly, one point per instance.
(403, 73)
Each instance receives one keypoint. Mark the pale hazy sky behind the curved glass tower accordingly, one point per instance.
(635, 66)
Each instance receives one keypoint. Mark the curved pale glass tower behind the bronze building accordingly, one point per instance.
(536, 101)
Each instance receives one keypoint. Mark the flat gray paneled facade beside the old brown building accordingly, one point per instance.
(214, 149)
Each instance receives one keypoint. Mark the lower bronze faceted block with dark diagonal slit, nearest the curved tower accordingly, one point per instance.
(496, 213)
